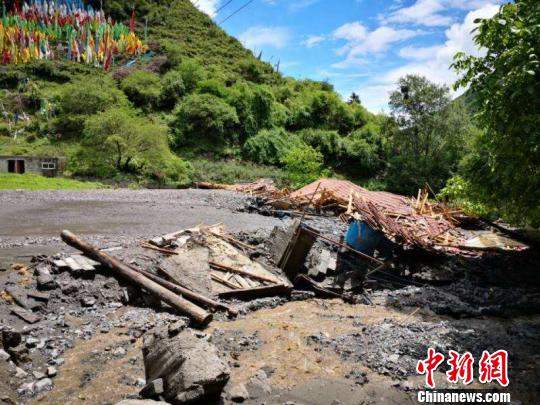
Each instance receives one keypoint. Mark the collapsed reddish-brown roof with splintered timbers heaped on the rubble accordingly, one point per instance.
(407, 222)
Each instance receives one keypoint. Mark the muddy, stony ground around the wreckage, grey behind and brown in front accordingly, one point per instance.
(298, 351)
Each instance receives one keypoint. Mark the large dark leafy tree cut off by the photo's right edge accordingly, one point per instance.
(505, 81)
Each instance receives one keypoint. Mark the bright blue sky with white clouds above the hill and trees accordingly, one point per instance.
(358, 45)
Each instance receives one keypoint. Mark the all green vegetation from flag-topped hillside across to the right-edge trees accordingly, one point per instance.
(199, 106)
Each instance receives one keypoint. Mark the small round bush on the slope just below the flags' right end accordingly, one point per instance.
(142, 88)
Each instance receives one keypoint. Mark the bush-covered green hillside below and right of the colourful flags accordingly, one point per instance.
(197, 96)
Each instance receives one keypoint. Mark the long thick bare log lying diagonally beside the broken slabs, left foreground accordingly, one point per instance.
(181, 304)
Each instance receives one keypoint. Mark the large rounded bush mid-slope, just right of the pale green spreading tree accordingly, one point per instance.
(203, 119)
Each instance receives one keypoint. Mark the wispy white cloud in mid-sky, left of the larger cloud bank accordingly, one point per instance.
(361, 41)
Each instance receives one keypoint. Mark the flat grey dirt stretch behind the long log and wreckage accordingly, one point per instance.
(31, 222)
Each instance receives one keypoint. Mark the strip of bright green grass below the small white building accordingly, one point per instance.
(34, 182)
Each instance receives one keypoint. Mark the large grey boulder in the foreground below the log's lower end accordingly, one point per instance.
(189, 366)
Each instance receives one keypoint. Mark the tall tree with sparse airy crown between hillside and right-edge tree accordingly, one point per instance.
(428, 135)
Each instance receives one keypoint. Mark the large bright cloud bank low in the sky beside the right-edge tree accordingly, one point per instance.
(432, 62)
